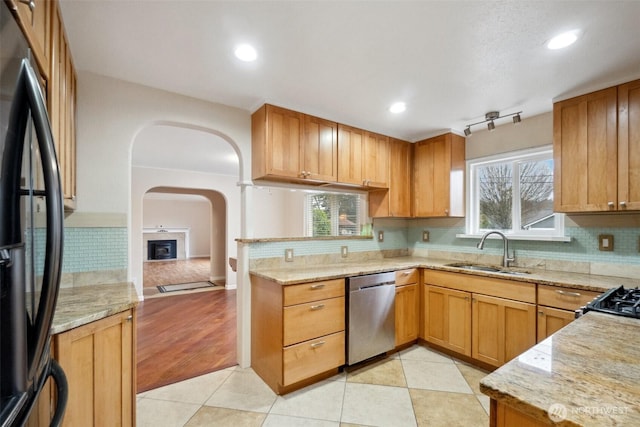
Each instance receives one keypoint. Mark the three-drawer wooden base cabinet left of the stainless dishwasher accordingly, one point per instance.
(297, 331)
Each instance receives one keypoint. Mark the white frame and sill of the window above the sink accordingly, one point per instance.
(472, 226)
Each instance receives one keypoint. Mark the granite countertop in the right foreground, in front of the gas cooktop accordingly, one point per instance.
(586, 374)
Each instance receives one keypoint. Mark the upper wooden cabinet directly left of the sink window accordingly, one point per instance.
(438, 176)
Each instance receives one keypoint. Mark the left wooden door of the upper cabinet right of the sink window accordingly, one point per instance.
(585, 152)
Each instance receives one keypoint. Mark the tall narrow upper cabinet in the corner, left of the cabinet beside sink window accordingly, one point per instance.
(396, 202)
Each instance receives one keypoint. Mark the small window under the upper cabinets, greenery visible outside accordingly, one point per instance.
(335, 214)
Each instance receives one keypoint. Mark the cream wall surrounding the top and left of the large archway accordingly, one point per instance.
(112, 112)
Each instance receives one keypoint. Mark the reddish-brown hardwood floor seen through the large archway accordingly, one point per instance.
(183, 336)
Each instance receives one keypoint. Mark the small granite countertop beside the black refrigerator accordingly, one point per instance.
(81, 305)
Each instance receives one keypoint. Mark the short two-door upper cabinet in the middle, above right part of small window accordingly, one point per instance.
(363, 157)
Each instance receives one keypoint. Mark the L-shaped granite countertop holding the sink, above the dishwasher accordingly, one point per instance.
(293, 275)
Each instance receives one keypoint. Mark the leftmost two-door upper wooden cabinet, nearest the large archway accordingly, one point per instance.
(288, 145)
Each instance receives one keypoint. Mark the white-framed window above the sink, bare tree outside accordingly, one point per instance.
(513, 193)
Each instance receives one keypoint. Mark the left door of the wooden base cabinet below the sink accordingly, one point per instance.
(447, 320)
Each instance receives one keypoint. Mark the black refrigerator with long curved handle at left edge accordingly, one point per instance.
(31, 233)
